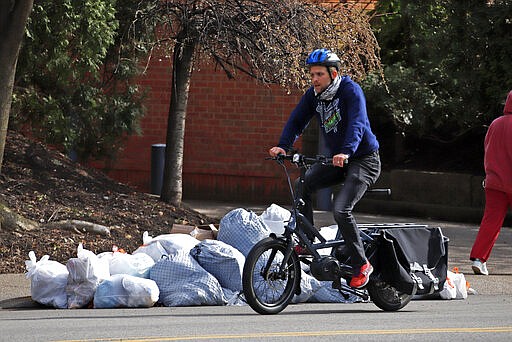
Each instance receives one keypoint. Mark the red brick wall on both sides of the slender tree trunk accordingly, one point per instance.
(230, 126)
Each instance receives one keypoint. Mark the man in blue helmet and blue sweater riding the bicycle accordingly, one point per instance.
(340, 107)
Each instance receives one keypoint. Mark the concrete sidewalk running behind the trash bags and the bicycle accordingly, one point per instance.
(15, 286)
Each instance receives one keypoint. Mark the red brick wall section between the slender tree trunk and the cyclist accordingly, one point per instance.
(230, 126)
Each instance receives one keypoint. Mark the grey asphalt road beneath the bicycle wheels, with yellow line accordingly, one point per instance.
(479, 318)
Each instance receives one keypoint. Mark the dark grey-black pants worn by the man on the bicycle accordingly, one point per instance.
(356, 177)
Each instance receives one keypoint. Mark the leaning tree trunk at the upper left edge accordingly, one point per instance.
(13, 18)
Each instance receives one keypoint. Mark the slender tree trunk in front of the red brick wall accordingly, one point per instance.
(173, 167)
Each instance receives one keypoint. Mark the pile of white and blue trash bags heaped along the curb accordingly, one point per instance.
(169, 270)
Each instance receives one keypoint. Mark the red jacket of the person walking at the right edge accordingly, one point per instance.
(498, 151)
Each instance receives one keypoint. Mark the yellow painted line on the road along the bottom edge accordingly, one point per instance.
(306, 334)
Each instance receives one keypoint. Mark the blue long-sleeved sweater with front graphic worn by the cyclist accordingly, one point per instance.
(344, 121)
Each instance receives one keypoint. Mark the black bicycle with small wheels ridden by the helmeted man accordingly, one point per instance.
(272, 270)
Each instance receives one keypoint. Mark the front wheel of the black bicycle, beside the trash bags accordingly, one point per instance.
(268, 287)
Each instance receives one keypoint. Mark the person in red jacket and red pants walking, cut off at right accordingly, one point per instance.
(498, 186)
